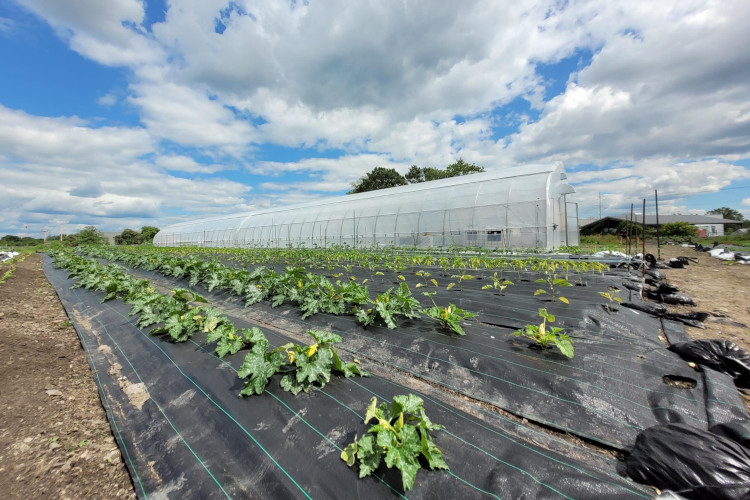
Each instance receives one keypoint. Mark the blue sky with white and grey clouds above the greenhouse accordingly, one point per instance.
(127, 113)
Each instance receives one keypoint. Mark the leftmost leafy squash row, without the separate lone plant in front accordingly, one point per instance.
(179, 318)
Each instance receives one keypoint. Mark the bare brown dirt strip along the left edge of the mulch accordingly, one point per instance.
(55, 441)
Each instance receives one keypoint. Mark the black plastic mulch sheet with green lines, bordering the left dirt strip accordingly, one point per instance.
(194, 438)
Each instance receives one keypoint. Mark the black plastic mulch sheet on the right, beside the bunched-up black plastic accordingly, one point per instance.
(620, 381)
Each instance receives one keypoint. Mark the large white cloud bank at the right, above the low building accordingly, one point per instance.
(676, 87)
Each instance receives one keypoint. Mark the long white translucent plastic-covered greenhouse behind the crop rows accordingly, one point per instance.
(519, 207)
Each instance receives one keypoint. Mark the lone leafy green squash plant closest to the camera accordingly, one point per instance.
(399, 438)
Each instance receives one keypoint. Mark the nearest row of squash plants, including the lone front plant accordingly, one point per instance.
(400, 435)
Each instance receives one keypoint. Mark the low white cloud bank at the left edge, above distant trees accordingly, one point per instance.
(55, 168)
